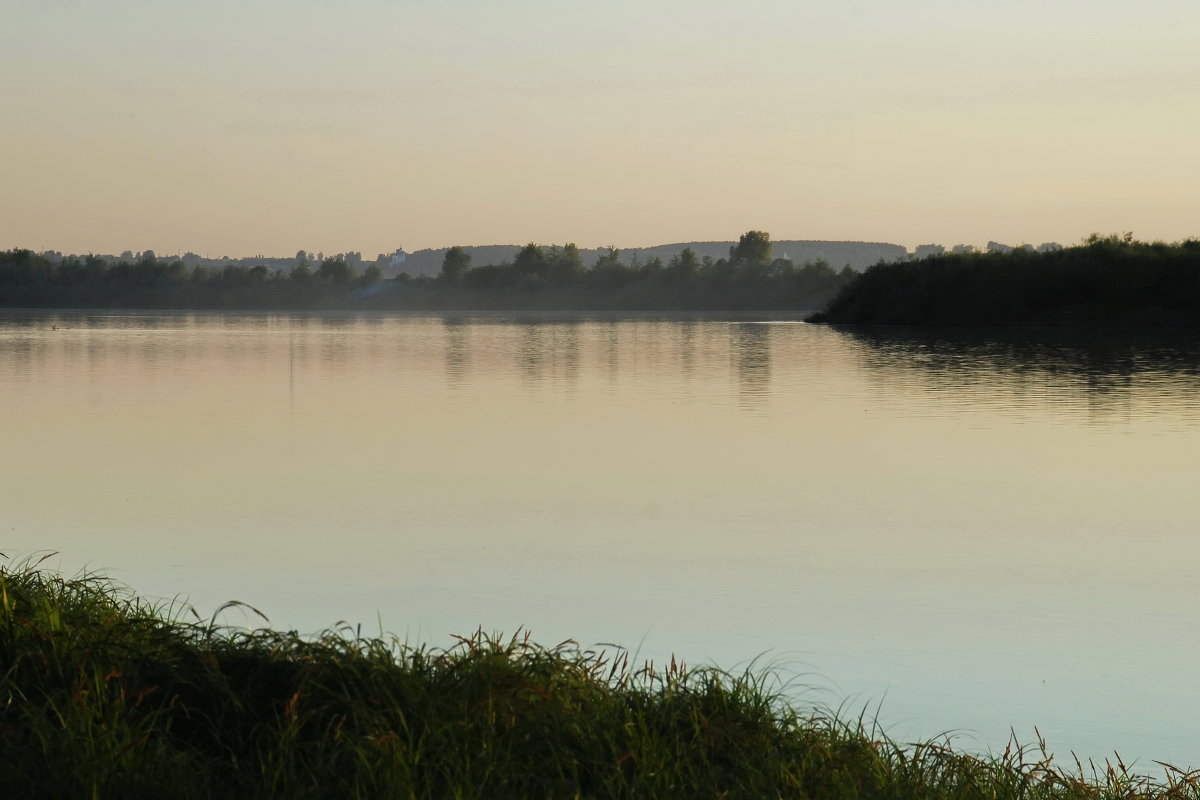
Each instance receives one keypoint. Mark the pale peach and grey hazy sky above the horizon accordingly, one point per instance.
(266, 127)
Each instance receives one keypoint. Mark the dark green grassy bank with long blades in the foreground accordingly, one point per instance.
(104, 695)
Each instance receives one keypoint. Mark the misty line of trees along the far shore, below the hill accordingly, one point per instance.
(538, 278)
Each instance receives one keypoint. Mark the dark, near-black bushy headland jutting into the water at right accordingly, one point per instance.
(1105, 281)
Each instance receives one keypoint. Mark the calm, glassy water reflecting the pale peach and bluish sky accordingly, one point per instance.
(973, 532)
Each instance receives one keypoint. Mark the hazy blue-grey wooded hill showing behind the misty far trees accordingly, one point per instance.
(838, 254)
